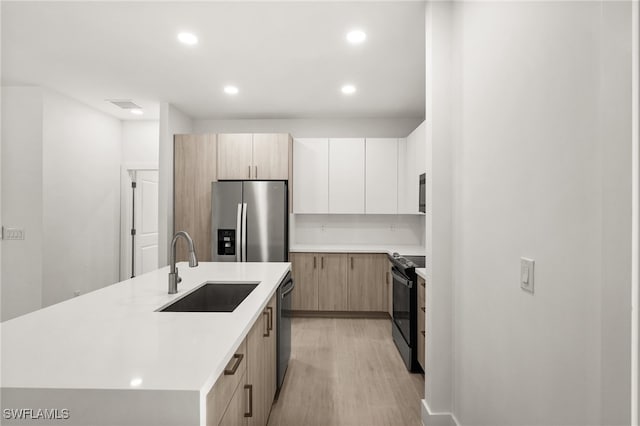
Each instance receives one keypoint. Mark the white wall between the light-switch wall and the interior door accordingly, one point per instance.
(81, 198)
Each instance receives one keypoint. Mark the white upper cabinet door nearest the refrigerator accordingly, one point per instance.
(311, 175)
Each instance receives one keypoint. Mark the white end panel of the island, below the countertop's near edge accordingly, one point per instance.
(106, 407)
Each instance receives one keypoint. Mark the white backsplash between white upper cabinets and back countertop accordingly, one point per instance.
(356, 229)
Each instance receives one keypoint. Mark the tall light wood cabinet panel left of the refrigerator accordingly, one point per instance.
(194, 170)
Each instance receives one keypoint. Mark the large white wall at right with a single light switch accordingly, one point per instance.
(541, 168)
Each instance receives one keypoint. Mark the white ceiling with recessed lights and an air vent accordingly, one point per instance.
(289, 59)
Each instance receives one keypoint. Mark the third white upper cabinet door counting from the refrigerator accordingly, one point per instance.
(381, 176)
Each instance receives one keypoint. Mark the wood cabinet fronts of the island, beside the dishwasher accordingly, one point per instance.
(243, 394)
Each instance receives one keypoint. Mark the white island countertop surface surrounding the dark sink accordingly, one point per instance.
(113, 338)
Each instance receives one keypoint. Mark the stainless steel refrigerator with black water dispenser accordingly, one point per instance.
(249, 221)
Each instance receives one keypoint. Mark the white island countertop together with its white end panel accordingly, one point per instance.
(109, 358)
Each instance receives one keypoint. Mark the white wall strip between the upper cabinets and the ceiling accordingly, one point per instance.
(308, 128)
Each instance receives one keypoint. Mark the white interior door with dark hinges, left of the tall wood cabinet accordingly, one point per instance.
(146, 222)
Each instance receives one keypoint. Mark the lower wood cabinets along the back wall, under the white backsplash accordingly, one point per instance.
(355, 282)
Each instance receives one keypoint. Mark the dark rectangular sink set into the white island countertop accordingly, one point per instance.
(212, 297)
